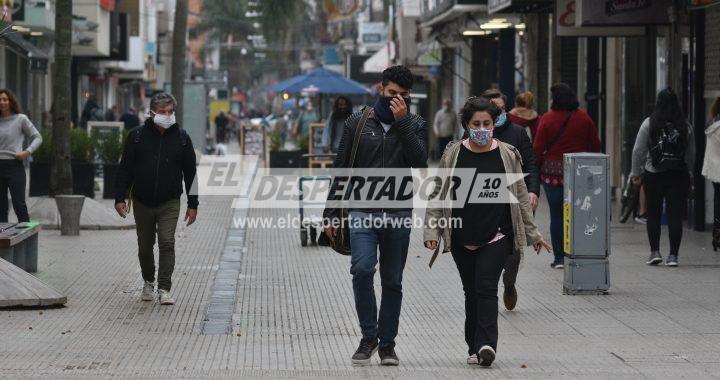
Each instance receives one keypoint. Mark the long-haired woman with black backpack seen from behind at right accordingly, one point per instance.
(664, 154)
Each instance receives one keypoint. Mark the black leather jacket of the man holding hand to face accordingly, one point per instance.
(402, 146)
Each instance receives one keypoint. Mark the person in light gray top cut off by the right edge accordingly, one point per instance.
(711, 166)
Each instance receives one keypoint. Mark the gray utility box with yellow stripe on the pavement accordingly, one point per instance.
(586, 223)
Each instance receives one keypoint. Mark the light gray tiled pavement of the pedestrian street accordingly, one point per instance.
(294, 315)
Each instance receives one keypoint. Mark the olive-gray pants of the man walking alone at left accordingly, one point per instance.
(161, 221)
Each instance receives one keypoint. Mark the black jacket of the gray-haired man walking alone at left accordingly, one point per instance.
(155, 165)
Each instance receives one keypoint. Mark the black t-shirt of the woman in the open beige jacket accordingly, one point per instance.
(480, 221)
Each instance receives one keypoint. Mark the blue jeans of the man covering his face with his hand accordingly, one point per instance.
(393, 243)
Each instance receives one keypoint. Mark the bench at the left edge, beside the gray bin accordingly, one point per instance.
(19, 244)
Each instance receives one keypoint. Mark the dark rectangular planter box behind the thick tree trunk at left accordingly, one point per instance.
(83, 179)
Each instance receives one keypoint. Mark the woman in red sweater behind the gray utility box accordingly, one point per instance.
(566, 128)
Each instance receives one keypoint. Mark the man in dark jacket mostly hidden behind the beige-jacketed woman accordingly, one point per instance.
(516, 136)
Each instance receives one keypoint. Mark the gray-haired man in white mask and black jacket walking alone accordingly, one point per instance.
(156, 159)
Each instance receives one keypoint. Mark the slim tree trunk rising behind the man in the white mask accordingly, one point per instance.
(179, 55)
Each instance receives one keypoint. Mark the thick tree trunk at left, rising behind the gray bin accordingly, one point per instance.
(61, 169)
